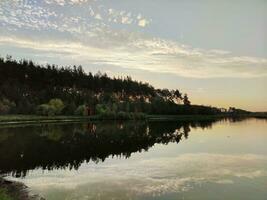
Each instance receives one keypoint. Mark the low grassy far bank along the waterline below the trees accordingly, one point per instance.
(34, 119)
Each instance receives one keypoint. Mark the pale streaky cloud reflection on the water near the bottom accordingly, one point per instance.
(152, 176)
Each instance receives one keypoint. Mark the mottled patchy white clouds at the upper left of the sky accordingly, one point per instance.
(56, 15)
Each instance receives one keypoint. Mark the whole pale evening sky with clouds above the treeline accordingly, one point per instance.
(213, 50)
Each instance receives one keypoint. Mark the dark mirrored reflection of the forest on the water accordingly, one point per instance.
(67, 146)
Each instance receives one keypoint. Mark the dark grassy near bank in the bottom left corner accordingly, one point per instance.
(11, 190)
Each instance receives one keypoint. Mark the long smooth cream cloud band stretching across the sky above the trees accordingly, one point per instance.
(136, 51)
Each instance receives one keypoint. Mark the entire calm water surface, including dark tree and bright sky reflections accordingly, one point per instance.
(161, 160)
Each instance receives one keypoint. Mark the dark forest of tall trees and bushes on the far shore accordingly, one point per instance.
(29, 88)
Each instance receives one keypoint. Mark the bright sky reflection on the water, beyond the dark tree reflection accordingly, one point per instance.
(227, 157)
